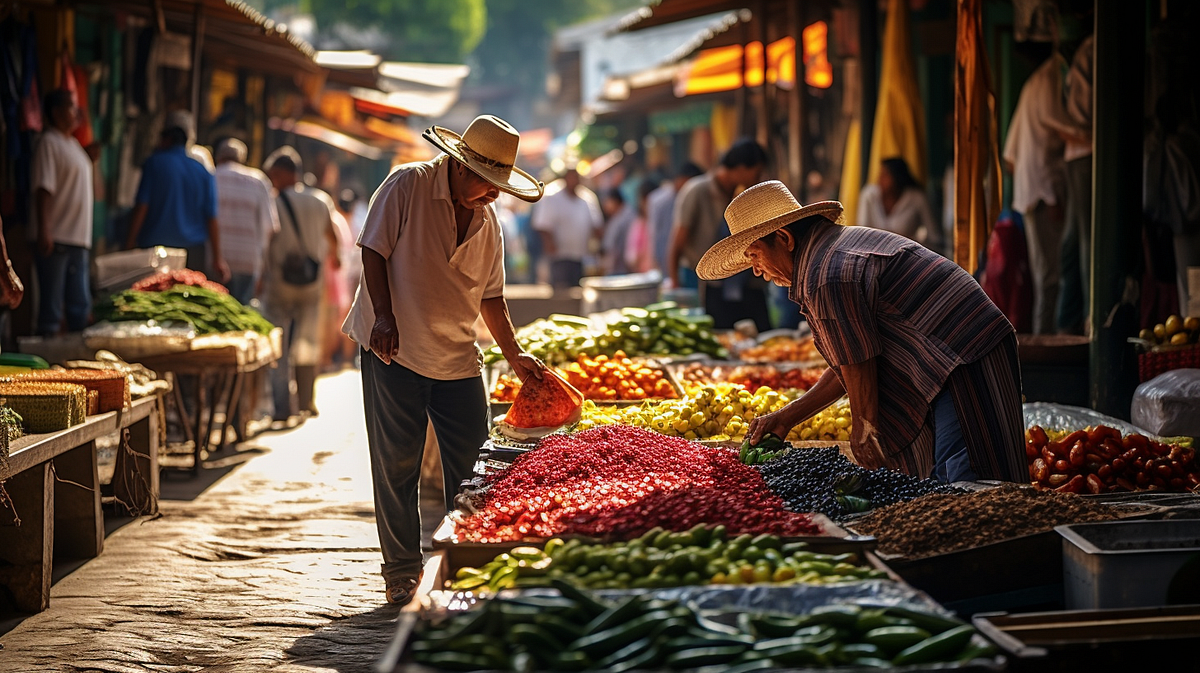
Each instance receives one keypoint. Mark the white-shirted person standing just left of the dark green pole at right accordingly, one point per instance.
(1034, 154)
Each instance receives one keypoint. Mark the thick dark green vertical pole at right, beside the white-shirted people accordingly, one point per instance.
(1117, 191)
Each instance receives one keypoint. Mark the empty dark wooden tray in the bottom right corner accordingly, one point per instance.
(1166, 639)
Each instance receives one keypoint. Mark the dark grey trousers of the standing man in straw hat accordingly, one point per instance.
(399, 404)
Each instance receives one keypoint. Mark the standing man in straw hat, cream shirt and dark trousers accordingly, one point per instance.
(433, 263)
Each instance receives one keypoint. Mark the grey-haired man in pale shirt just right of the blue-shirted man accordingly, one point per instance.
(247, 217)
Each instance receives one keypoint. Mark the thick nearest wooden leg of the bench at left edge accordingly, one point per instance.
(28, 550)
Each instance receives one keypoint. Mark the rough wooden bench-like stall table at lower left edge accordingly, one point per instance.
(55, 501)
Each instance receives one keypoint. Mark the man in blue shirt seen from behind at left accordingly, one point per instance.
(177, 203)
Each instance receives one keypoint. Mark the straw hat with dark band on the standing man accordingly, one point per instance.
(490, 149)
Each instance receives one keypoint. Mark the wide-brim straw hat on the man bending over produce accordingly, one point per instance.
(754, 214)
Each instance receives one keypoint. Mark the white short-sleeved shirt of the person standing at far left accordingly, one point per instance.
(63, 169)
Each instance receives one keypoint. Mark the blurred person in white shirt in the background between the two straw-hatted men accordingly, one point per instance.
(568, 219)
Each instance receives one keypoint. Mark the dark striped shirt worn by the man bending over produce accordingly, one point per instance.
(868, 293)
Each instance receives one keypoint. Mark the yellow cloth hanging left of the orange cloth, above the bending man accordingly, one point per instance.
(899, 117)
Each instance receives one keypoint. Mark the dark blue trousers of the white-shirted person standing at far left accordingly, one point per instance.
(63, 290)
